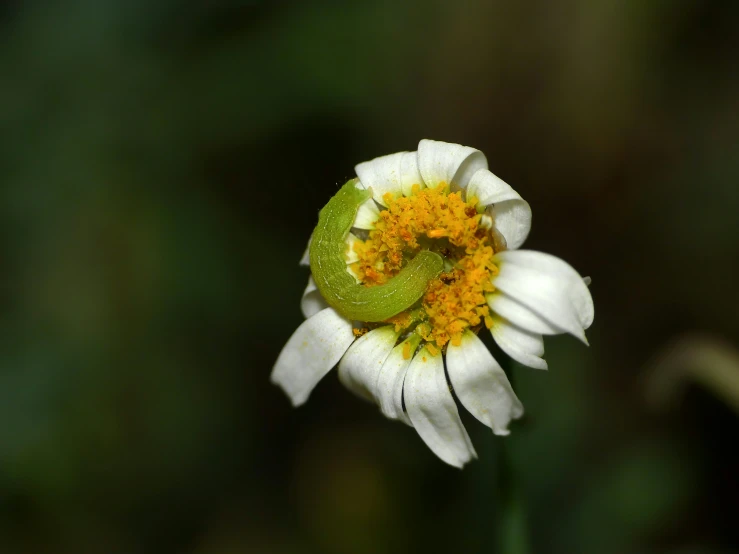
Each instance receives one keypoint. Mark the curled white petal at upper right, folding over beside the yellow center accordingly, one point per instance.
(510, 212)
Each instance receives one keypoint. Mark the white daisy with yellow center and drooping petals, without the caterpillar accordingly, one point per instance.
(444, 195)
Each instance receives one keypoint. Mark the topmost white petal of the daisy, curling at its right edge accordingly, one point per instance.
(443, 162)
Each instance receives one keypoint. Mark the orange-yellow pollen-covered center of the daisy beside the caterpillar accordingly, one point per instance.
(433, 219)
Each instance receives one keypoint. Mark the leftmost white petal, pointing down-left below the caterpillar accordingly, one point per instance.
(313, 349)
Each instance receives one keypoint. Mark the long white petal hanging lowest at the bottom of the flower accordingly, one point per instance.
(433, 412)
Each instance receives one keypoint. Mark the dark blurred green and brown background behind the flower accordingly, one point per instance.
(162, 164)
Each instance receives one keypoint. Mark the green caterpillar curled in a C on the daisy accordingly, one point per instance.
(340, 289)
